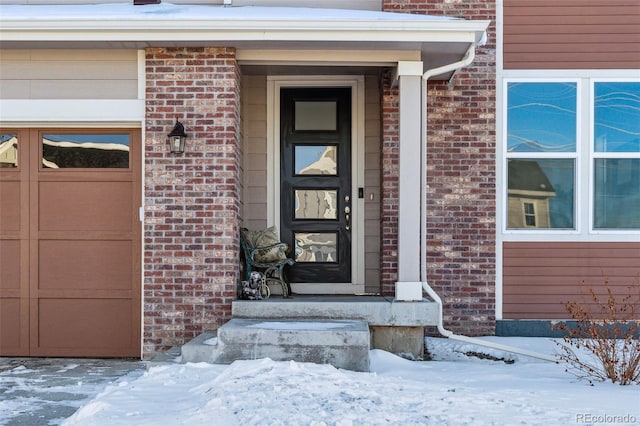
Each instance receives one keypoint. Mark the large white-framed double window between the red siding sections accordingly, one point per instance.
(571, 155)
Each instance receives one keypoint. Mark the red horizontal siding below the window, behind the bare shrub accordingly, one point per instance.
(539, 278)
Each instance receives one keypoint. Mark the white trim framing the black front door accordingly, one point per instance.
(274, 83)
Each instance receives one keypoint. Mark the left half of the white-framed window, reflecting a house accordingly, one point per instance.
(542, 149)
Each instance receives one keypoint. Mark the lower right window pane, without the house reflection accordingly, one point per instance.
(617, 194)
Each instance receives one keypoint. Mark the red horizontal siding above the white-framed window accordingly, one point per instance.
(571, 34)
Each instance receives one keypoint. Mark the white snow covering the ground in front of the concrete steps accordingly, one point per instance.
(453, 389)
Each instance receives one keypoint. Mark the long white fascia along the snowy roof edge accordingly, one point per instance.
(258, 30)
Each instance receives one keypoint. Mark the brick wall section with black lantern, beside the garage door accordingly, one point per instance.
(191, 199)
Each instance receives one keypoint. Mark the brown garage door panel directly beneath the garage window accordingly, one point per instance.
(85, 206)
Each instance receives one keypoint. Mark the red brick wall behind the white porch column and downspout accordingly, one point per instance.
(461, 178)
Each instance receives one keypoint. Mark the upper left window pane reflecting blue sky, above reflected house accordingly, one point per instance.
(541, 117)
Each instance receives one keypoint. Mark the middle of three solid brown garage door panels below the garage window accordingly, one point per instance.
(85, 265)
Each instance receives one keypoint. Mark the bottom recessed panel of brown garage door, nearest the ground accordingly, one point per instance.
(85, 327)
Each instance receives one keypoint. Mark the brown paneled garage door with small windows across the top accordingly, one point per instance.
(70, 242)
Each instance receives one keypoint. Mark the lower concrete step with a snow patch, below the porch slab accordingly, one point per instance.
(341, 343)
